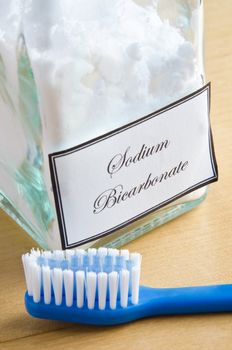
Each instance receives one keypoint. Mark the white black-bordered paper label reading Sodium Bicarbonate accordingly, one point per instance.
(119, 177)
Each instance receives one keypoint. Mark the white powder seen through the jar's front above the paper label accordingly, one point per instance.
(100, 64)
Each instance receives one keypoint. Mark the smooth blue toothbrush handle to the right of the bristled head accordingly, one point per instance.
(187, 300)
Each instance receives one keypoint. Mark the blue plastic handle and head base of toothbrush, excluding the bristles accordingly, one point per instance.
(152, 302)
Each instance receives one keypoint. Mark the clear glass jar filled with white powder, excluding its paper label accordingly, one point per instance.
(68, 72)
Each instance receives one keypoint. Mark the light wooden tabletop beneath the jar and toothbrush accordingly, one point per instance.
(194, 249)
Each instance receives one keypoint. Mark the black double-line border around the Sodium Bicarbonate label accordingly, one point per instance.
(55, 182)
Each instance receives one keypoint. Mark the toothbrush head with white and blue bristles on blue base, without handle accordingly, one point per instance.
(97, 286)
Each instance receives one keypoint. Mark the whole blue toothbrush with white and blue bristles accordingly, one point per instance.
(101, 287)
